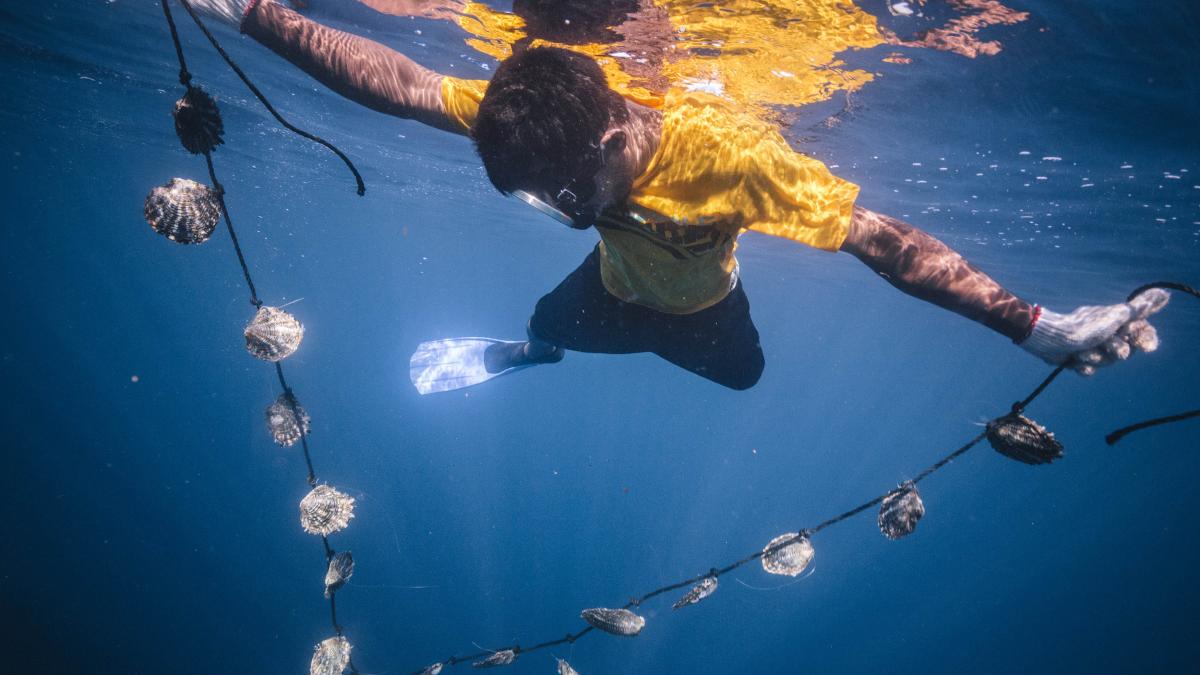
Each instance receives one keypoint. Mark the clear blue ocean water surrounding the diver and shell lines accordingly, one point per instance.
(152, 523)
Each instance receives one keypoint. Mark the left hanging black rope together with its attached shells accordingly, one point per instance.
(187, 213)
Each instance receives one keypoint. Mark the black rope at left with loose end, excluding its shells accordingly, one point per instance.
(185, 79)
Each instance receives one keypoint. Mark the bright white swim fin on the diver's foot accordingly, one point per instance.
(454, 363)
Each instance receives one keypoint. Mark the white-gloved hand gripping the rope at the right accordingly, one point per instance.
(1091, 338)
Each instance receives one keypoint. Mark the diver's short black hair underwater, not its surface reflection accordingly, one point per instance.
(542, 120)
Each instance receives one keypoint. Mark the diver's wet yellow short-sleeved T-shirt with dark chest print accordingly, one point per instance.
(717, 171)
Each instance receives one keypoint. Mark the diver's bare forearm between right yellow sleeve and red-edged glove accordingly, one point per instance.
(926, 268)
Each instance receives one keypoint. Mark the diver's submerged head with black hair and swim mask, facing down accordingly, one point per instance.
(551, 128)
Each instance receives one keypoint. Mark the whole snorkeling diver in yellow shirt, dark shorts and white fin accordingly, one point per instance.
(669, 190)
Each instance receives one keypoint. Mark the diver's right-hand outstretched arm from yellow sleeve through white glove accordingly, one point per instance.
(925, 267)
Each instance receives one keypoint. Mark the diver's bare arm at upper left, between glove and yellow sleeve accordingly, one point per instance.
(359, 69)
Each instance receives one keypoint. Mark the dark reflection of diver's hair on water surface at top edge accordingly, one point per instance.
(574, 22)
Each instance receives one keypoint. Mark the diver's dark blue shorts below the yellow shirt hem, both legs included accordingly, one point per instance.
(719, 344)
